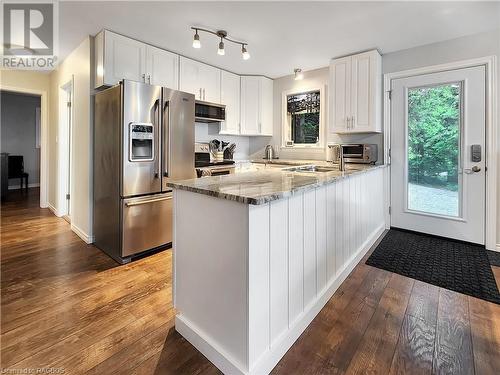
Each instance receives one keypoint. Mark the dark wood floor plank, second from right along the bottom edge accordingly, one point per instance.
(453, 347)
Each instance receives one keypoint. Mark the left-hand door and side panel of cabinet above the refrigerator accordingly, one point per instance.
(117, 58)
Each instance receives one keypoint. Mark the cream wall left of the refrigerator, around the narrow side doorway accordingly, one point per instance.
(76, 67)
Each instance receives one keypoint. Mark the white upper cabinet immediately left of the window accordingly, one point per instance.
(256, 106)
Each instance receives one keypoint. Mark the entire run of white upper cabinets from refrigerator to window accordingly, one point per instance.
(248, 99)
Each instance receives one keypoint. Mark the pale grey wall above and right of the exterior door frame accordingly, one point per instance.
(469, 47)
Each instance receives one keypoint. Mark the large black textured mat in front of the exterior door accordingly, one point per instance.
(454, 265)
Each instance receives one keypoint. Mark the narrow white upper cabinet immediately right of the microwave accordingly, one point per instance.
(230, 96)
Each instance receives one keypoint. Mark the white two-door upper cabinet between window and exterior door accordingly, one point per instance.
(356, 93)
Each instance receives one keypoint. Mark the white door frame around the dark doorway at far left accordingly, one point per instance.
(44, 109)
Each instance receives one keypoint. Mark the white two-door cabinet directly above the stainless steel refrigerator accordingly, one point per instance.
(118, 57)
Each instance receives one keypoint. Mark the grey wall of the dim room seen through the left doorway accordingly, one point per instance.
(18, 133)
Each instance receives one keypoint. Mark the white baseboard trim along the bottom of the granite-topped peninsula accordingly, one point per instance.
(280, 346)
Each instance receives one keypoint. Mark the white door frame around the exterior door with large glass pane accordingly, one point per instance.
(492, 134)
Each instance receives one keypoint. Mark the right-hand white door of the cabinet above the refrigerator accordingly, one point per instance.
(162, 68)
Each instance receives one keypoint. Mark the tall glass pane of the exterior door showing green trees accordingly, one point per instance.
(434, 183)
